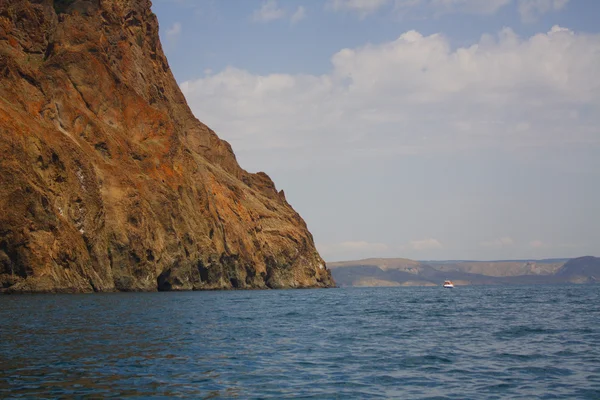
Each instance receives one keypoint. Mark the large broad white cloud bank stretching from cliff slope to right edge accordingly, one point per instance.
(413, 95)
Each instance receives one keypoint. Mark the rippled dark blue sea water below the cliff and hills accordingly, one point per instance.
(407, 343)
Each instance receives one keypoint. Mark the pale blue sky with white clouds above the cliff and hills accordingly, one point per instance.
(423, 129)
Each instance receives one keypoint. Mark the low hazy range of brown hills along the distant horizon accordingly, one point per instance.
(405, 272)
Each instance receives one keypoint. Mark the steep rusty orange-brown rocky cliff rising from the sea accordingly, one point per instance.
(108, 182)
